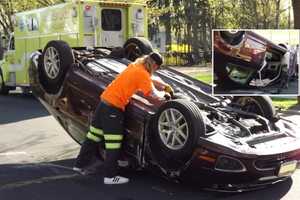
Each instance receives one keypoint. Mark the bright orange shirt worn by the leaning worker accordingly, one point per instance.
(134, 78)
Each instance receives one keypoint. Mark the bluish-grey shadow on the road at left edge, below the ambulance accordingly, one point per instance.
(17, 107)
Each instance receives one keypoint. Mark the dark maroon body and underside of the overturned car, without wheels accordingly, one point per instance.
(78, 97)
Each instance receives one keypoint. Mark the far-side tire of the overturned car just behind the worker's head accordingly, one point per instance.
(136, 47)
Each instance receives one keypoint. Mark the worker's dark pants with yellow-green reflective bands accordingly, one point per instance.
(106, 127)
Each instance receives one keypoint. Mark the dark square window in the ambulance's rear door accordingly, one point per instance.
(111, 20)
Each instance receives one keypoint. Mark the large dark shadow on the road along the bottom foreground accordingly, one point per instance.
(56, 180)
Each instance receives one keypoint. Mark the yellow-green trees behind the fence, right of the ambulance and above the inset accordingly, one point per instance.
(190, 21)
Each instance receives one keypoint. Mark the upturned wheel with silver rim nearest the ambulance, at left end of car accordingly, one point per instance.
(55, 60)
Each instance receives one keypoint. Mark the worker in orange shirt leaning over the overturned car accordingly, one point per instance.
(107, 123)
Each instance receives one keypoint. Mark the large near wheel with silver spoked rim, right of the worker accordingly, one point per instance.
(170, 152)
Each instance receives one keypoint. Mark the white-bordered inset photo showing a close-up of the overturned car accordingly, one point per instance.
(260, 62)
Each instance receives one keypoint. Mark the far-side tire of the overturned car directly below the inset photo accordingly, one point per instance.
(261, 105)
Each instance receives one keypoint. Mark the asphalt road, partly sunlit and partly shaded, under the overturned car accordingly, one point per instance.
(36, 156)
